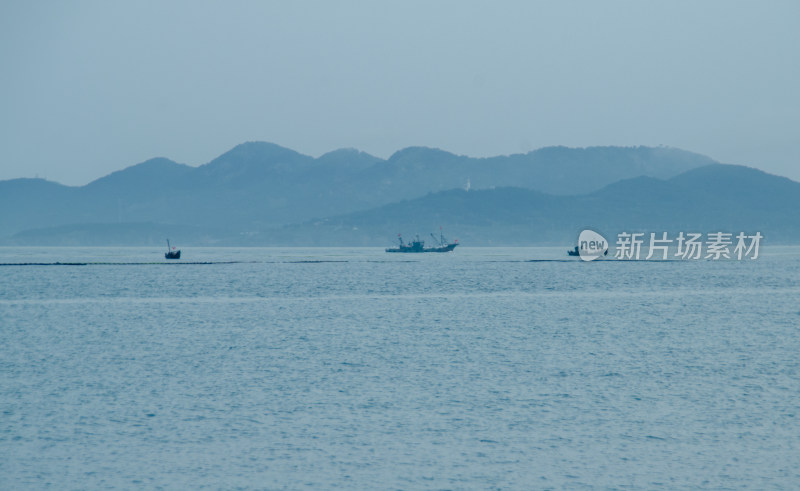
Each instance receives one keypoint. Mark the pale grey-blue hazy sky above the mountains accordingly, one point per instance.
(91, 87)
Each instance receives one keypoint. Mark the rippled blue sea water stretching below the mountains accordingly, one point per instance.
(486, 368)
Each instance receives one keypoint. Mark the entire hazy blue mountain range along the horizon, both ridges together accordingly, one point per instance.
(263, 194)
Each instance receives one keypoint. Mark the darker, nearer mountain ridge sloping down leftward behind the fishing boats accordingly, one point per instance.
(714, 198)
